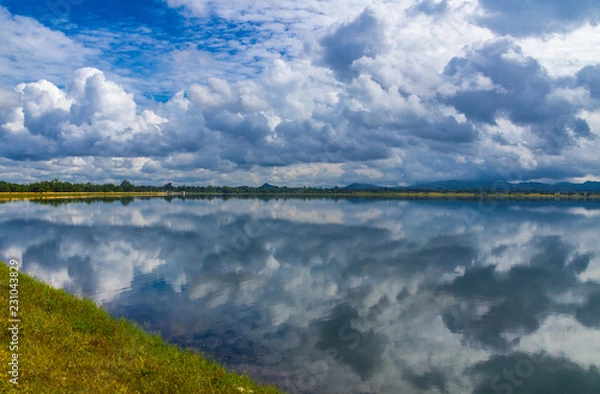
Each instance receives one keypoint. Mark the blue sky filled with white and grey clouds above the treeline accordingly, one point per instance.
(316, 93)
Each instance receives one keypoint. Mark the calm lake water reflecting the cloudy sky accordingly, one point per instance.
(324, 296)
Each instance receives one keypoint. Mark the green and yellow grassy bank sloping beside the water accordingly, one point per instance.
(69, 345)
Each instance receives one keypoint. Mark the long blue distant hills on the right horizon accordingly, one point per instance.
(500, 186)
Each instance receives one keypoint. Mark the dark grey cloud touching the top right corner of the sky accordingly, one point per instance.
(534, 17)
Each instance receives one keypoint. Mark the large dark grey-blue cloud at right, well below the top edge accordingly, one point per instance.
(514, 86)
